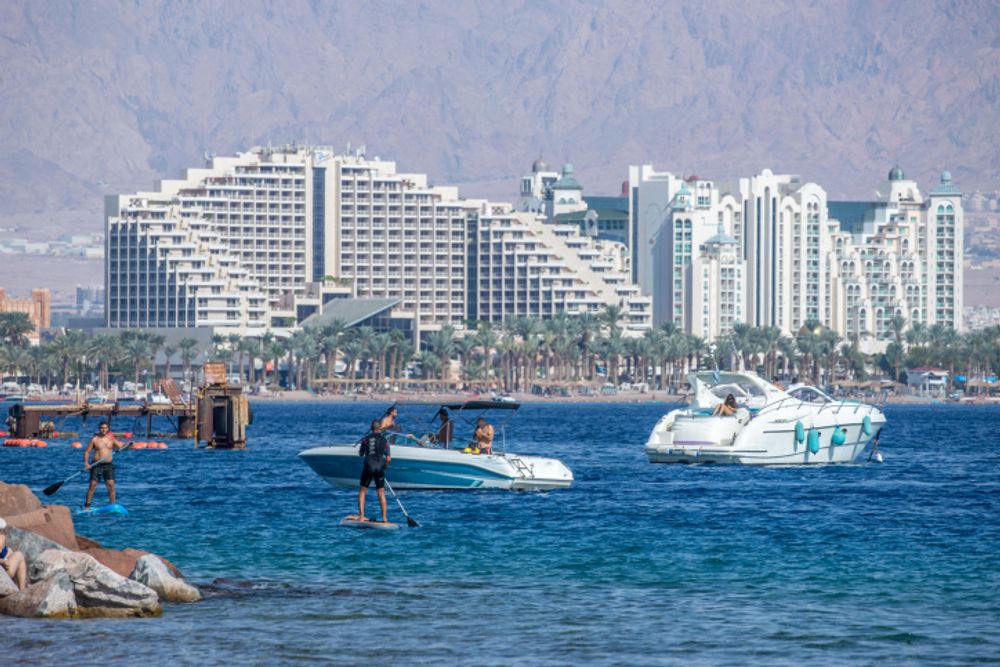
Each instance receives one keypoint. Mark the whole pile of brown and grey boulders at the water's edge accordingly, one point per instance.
(72, 576)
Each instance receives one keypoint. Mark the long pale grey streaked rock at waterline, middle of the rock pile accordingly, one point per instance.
(99, 591)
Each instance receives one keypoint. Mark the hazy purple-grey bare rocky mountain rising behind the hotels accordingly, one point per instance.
(102, 96)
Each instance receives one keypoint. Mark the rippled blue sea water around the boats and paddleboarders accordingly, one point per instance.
(636, 564)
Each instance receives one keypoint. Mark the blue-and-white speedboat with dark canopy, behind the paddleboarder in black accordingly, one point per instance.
(418, 464)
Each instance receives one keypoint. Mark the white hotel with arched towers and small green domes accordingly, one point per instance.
(793, 256)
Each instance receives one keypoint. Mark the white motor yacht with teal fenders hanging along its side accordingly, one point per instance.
(771, 426)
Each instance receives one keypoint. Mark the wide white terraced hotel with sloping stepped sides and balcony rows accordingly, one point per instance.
(265, 239)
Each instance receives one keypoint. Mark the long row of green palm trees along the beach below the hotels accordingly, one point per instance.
(524, 352)
